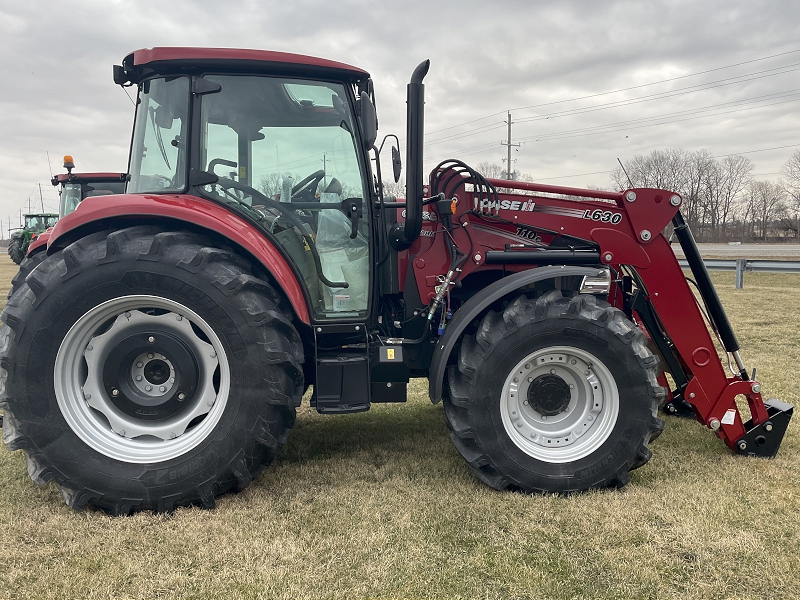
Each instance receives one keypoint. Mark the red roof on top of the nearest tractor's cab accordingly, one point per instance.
(147, 62)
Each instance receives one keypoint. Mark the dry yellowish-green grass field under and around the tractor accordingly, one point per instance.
(380, 505)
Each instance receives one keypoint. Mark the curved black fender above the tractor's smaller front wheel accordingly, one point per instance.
(473, 307)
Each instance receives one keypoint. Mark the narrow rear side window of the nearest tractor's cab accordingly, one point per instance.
(157, 160)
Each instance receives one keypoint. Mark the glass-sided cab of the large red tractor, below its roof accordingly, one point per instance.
(284, 151)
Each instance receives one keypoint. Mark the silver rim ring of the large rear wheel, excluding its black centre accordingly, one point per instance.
(94, 415)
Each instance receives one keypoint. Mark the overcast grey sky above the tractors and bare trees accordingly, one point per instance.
(587, 81)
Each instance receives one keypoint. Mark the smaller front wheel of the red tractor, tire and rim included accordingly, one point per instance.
(554, 395)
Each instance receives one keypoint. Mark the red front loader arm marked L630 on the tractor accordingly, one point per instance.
(626, 228)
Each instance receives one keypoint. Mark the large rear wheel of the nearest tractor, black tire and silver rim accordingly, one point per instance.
(97, 324)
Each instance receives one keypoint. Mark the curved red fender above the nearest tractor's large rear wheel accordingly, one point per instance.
(96, 213)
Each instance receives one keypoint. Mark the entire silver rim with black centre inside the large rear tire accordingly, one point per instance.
(141, 378)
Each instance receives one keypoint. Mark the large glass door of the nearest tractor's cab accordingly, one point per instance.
(274, 142)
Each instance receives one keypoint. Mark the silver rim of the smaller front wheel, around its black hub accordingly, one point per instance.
(580, 426)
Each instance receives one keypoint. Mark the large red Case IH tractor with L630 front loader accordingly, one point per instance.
(157, 356)
